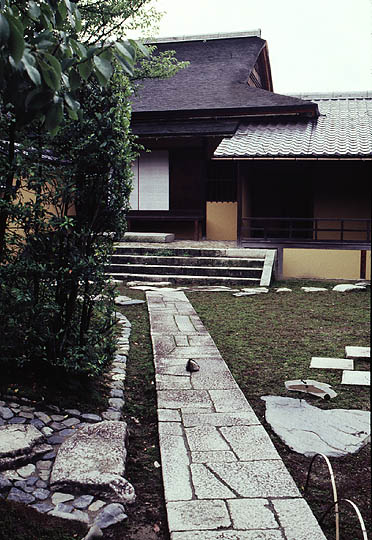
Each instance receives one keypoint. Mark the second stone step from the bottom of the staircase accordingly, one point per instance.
(187, 270)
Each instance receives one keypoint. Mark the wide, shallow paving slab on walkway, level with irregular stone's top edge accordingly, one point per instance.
(241, 418)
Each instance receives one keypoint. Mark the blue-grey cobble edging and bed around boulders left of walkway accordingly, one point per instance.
(27, 481)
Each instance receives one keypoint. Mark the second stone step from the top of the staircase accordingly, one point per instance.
(187, 261)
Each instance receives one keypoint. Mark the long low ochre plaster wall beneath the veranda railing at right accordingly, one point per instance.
(323, 263)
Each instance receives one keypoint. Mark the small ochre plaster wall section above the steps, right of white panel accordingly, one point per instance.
(222, 220)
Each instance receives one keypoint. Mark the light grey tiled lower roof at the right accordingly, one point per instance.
(344, 128)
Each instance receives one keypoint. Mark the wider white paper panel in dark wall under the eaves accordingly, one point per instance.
(154, 180)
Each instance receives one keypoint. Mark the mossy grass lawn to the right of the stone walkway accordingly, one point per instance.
(270, 338)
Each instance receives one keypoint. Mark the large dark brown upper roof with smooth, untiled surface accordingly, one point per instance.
(215, 80)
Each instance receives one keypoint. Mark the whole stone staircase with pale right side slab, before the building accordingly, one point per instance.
(203, 266)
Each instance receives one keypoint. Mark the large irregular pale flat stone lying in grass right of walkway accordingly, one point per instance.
(309, 430)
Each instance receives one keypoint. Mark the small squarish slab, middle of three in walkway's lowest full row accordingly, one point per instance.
(252, 514)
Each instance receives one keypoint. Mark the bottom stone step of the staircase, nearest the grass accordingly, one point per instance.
(188, 279)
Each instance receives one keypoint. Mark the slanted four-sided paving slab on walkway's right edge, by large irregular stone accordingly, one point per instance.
(250, 442)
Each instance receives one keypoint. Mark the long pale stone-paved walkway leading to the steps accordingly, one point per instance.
(223, 478)
